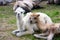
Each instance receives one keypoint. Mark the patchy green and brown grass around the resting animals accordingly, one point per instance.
(8, 21)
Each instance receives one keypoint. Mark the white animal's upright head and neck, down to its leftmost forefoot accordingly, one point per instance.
(19, 16)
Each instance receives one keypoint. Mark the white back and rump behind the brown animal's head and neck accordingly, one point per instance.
(44, 18)
